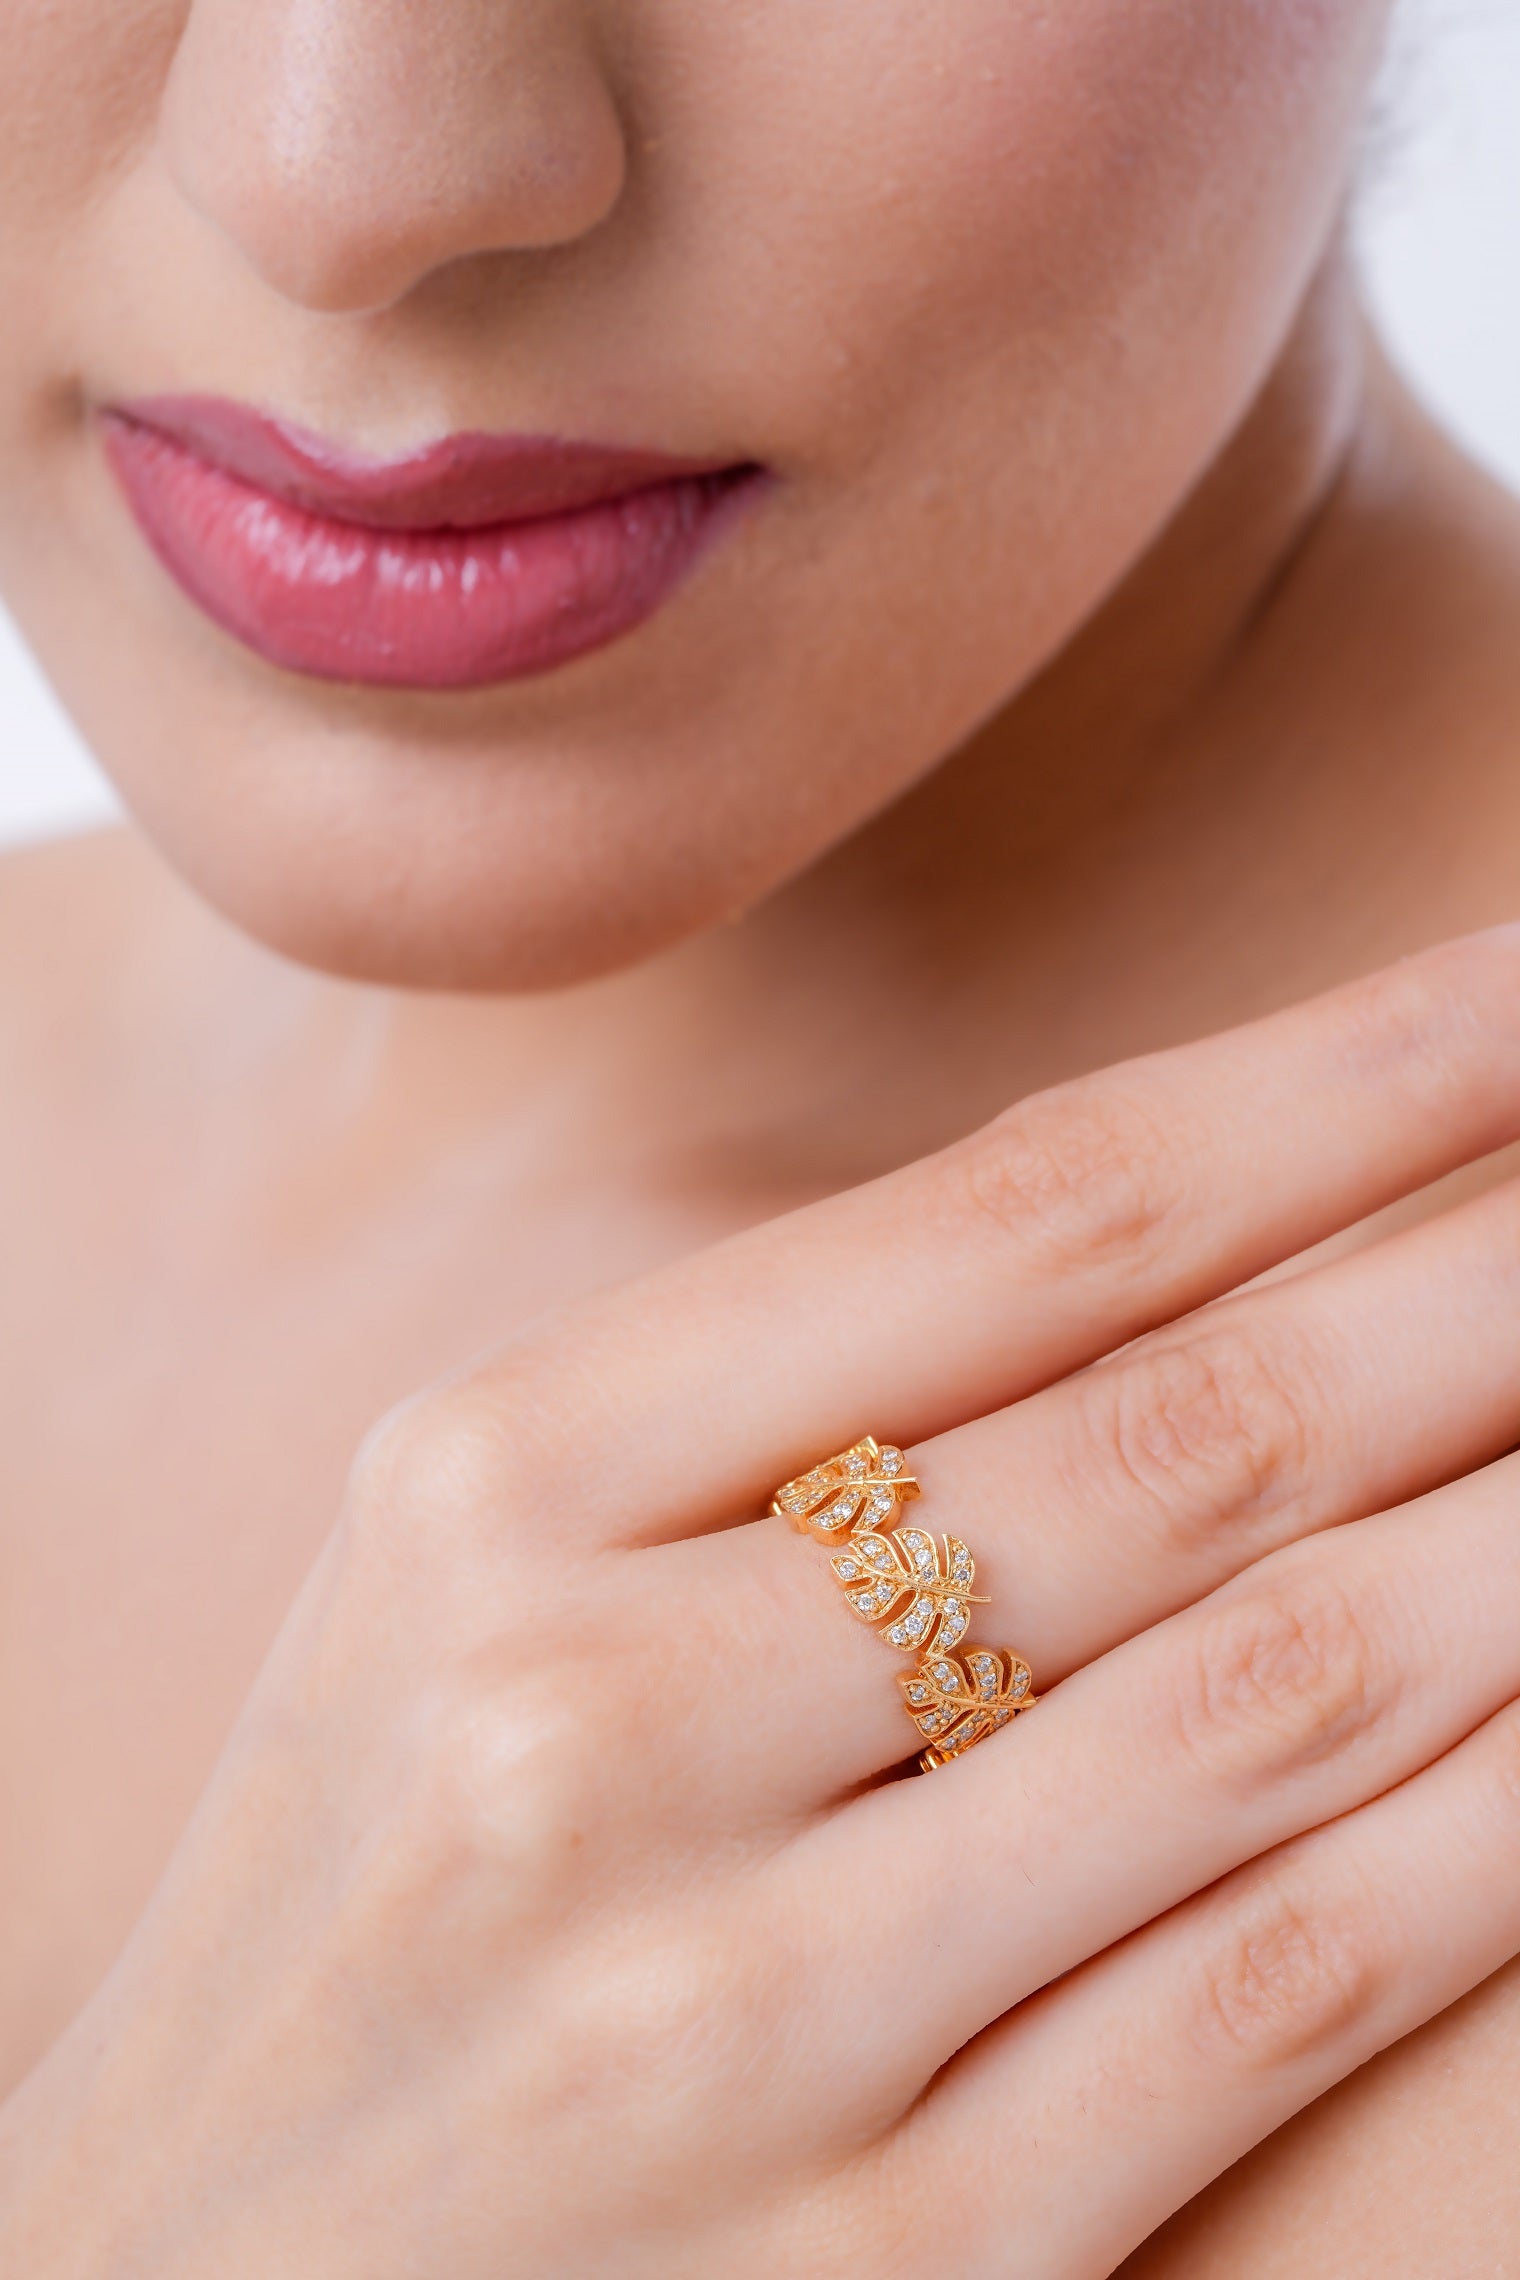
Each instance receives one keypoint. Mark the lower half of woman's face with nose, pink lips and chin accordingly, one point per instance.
(979, 286)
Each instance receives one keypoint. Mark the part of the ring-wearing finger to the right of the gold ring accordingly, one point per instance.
(1136, 1488)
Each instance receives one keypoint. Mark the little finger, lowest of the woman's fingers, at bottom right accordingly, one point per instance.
(1077, 2126)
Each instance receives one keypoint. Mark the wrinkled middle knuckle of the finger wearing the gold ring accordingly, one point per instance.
(1207, 1431)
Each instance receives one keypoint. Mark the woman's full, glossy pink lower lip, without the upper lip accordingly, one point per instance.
(416, 610)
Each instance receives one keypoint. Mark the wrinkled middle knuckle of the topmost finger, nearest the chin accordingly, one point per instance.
(1084, 1173)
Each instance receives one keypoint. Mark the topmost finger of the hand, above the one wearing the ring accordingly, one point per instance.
(1068, 1228)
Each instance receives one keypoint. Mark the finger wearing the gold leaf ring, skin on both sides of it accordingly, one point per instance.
(1106, 1504)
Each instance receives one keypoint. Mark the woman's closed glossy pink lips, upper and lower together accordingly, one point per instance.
(477, 560)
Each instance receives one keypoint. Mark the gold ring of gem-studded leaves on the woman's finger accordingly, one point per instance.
(915, 1590)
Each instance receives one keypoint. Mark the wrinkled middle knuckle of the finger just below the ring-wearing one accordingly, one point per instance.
(1277, 1679)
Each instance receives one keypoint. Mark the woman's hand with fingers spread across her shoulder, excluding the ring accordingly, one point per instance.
(550, 1909)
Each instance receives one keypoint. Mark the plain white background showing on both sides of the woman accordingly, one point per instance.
(1441, 229)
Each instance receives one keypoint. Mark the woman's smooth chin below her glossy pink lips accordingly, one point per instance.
(507, 842)
